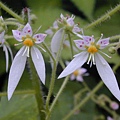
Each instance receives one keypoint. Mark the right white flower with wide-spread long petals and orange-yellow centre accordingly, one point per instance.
(90, 52)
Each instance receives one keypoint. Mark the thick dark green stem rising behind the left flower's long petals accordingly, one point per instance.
(38, 92)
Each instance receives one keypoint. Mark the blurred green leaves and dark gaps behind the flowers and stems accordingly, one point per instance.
(23, 107)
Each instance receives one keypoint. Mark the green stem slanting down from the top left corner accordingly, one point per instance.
(11, 12)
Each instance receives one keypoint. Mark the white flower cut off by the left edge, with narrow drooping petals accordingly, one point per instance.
(6, 49)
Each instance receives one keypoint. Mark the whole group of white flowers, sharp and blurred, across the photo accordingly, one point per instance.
(61, 28)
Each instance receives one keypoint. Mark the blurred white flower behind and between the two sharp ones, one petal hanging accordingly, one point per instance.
(67, 24)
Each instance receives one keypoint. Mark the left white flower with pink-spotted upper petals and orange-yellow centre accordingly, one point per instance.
(29, 42)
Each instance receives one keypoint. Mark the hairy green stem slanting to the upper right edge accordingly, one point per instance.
(104, 17)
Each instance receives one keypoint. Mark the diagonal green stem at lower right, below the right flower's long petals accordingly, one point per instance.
(84, 100)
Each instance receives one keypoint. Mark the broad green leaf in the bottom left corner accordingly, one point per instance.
(20, 107)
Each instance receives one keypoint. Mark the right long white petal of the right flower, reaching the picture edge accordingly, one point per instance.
(107, 75)
